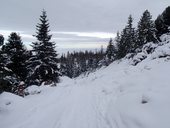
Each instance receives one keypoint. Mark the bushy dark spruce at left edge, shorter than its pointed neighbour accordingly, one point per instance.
(11, 64)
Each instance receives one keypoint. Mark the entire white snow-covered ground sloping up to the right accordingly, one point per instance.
(118, 96)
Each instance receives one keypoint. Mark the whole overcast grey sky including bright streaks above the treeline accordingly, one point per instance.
(74, 23)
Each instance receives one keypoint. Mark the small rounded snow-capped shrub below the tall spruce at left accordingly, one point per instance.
(32, 90)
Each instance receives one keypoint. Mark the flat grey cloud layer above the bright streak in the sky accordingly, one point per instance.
(75, 15)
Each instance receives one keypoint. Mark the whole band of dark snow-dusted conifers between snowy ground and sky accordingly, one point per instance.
(20, 68)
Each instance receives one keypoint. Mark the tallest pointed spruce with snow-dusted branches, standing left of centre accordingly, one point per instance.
(43, 65)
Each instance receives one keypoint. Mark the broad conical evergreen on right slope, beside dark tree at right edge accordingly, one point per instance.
(145, 30)
